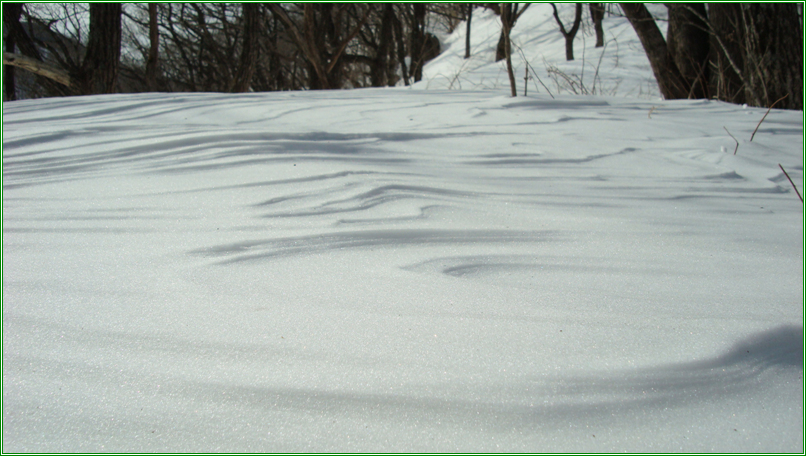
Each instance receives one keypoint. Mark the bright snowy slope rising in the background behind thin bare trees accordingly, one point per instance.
(620, 68)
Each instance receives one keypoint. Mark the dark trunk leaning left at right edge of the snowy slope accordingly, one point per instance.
(670, 81)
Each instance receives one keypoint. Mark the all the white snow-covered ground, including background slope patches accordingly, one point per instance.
(403, 270)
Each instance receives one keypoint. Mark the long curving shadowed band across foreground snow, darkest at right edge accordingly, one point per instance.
(525, 405)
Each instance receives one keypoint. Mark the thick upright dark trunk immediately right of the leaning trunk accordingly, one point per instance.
(687, 42)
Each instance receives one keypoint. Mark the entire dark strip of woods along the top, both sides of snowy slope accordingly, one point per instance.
(741, 53)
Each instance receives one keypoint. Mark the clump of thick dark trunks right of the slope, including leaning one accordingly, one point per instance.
(753, 52)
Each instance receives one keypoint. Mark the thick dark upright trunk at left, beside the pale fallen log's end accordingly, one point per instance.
(99, 70)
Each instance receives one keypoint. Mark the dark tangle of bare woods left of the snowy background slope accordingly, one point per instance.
(223, 47)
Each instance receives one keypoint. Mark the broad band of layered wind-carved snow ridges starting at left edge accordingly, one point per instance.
(45, 155)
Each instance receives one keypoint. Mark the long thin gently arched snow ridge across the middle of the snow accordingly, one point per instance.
(316, 244)
